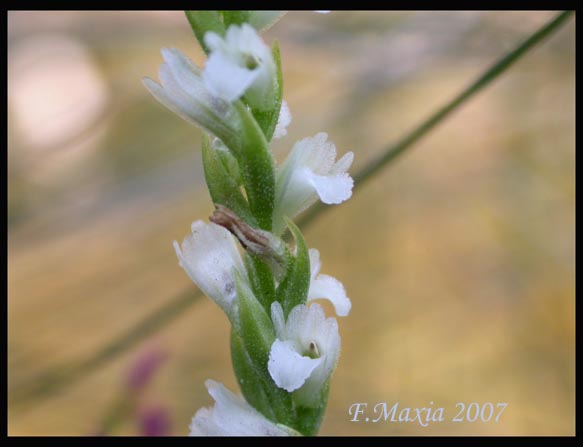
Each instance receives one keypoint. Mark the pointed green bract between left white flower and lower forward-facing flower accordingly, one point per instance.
(255, 326)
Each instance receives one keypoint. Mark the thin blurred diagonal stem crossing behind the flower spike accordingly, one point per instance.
(62, 376)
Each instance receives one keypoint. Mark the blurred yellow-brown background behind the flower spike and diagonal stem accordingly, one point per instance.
(459, 258)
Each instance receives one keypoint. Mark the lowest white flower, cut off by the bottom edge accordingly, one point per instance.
(233, 416)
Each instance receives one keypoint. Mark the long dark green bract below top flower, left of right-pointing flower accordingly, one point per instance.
(256, 164)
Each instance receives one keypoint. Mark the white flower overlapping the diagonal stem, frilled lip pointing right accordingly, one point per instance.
(310, 172)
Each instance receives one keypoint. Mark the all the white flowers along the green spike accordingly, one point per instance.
(307, 344)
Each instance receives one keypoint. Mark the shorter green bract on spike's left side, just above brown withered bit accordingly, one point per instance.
(222, 181)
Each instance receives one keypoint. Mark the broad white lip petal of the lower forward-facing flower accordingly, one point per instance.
(289, 370)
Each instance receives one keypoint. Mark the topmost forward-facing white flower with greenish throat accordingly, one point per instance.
(240, 64)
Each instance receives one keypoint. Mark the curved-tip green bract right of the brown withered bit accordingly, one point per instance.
(293, 289)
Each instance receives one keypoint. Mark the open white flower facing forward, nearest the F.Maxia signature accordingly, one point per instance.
(305, 352)
